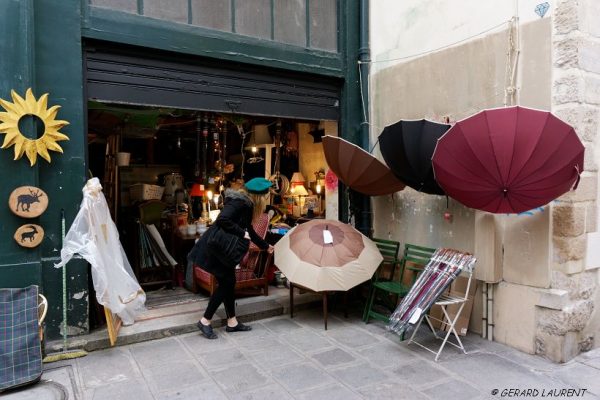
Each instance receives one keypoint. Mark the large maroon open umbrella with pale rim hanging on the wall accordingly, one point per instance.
(508, 160)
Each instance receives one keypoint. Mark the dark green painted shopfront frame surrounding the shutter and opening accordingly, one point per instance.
(42, 48)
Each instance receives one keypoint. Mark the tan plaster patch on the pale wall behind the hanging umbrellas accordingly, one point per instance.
(458, 82)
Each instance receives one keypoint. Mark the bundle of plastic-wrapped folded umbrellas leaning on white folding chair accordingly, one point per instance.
(445, 265)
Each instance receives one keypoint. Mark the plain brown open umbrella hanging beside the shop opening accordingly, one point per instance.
(358, 169)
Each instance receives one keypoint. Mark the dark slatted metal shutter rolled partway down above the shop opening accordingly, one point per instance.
(146, 77)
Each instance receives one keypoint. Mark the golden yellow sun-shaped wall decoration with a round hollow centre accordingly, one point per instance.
(19, 108)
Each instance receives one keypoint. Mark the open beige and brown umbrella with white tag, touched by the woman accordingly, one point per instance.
(306, 260)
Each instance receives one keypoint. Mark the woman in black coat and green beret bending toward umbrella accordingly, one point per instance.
(235, 218)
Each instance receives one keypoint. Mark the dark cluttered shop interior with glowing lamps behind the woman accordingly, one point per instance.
(169, 168)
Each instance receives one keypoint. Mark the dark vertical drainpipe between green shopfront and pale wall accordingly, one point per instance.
(364, 57)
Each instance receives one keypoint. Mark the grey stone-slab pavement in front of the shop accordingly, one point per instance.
(283, 358)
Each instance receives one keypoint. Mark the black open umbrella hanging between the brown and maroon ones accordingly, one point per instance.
(407, 147)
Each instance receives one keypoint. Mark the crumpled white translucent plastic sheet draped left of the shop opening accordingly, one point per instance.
(94, 236)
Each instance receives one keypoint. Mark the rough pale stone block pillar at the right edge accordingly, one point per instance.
(564, 331)
